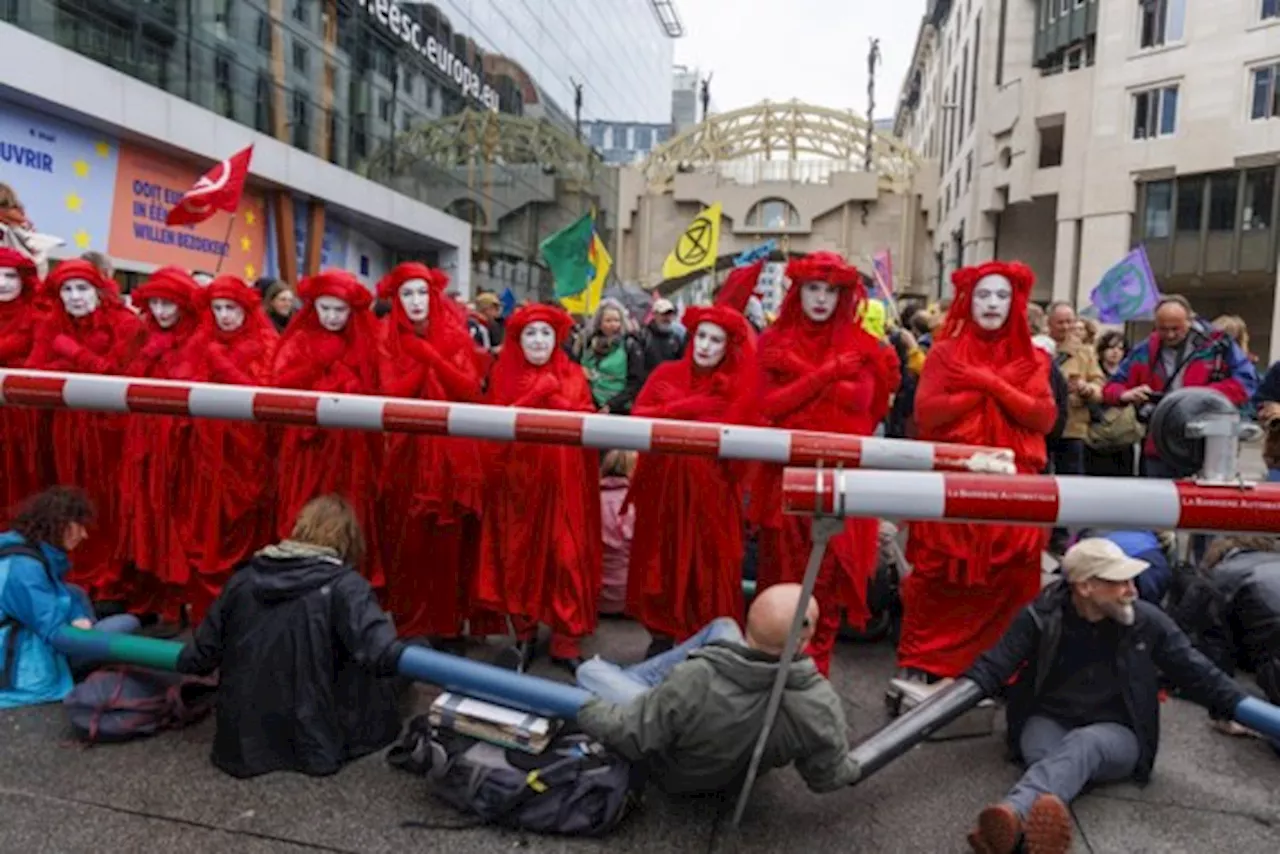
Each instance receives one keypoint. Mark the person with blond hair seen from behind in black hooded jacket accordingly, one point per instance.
(307, 657)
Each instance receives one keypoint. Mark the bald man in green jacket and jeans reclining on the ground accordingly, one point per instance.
(696, 713)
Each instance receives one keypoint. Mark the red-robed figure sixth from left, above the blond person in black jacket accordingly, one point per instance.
(433, 487)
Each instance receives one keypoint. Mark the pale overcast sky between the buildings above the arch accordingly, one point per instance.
(813, 51)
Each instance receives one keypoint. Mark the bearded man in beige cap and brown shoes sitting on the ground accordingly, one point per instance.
(1085, 707)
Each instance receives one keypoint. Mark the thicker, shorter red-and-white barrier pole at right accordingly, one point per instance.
(1035, 500)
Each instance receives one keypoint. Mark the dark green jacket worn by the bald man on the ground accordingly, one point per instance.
(698, 729)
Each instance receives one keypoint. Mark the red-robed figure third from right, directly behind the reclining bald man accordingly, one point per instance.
(687, 568)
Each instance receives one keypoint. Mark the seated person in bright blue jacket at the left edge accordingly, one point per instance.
(35, 600)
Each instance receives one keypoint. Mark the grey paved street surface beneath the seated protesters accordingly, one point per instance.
(1210, 794)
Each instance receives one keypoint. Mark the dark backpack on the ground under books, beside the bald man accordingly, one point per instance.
(574, 788)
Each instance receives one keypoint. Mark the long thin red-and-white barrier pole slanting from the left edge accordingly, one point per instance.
(48, 390)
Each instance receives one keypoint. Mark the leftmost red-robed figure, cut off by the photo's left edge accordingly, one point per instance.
(26, 467)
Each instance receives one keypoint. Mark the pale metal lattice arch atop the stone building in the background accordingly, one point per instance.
(792, 131)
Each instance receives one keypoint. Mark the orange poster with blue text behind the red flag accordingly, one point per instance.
(147, 186)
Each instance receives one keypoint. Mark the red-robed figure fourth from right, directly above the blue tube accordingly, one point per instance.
(542, 545)
